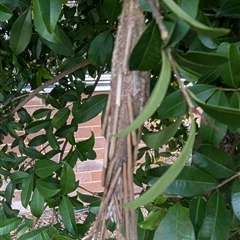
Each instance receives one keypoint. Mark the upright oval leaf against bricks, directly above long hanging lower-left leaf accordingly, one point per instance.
(68, 180)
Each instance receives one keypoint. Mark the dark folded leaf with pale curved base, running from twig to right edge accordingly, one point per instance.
(217, 112)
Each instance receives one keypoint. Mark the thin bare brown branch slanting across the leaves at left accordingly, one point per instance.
(46, 84)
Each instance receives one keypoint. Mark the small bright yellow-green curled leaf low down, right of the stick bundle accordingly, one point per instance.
(153, 219)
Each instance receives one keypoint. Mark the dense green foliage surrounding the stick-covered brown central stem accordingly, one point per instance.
(196, 74)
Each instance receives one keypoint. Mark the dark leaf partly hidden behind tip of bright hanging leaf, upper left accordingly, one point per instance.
(63, 46)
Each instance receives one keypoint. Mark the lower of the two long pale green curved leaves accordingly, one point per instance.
(168, 177)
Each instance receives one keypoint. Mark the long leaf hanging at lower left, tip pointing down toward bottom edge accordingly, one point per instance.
(68, 216)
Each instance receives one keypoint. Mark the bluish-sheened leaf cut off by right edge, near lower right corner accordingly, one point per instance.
(235, 197)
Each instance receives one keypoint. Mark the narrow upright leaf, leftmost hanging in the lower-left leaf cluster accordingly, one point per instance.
(27, 188)
